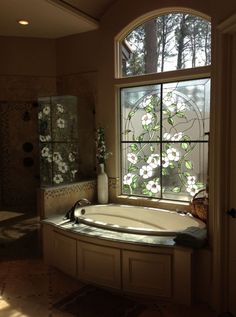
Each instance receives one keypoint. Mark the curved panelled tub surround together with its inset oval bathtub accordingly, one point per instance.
(128, 260)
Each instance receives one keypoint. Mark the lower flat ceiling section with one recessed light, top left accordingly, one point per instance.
(51, 18)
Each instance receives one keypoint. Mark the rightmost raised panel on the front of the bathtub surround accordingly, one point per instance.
(147, 273)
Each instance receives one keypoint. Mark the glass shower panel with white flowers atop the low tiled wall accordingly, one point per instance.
(58, 140)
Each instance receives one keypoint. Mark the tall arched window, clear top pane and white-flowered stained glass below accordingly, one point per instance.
(165, 117)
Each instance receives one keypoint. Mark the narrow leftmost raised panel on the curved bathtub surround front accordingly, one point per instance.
(64, 254)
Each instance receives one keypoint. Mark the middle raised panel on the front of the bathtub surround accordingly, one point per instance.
(98, 264)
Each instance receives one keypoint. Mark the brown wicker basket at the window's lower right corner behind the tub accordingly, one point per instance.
(199, 205)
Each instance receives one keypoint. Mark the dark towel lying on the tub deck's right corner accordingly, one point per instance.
(192, 237)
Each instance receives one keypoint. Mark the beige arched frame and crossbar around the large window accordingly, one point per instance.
(150, 79)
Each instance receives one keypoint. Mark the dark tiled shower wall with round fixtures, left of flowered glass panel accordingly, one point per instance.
(17, 100)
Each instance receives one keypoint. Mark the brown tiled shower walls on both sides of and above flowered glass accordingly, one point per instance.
(19, 183)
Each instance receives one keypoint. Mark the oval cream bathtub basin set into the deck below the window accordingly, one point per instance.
(132, 219)
